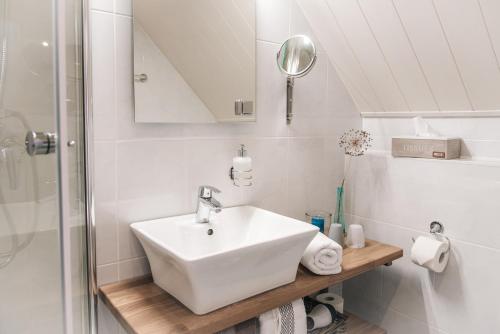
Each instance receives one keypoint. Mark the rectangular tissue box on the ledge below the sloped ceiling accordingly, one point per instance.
(430, 148)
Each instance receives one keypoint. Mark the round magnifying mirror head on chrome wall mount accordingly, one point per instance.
(297, 56)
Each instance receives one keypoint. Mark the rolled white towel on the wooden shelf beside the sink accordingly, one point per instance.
(323, 256)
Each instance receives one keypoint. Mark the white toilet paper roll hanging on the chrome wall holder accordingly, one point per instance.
(430, 253)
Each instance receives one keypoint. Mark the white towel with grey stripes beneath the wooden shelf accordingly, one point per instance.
(288, 318)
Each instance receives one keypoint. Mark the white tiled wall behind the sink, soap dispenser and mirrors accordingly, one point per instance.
(145, 171)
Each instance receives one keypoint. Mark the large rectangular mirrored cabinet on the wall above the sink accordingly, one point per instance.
(194, 61)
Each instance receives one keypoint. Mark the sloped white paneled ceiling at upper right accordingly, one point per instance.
(413, 56)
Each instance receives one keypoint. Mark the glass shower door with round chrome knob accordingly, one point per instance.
(43, 278)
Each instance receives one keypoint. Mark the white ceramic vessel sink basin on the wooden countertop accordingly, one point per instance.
(250, 251)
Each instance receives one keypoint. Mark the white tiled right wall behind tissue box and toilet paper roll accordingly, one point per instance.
(396, 199)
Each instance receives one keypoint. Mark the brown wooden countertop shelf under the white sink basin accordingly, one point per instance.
(144, 308)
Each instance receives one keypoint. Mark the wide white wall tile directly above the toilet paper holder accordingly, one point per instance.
(385, 188)
